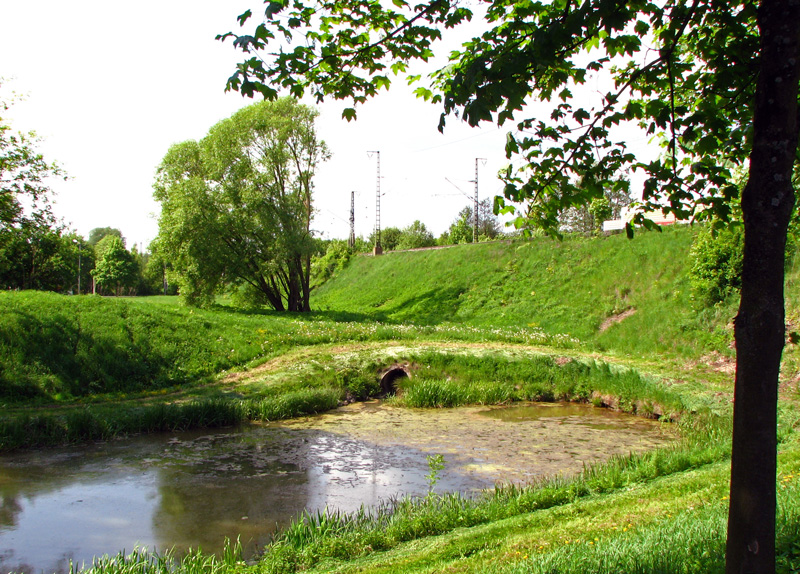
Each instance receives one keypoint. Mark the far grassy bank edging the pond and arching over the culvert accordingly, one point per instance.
(315, 380)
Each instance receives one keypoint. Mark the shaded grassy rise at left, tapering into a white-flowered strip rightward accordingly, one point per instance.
(57, 348)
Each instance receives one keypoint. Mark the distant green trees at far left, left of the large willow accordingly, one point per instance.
(37, 251)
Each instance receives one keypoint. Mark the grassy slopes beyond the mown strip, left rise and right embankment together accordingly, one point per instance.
(627, 298)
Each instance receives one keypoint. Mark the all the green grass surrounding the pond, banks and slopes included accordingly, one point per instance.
(476, 324)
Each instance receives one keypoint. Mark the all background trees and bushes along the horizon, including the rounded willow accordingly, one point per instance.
(235, 219)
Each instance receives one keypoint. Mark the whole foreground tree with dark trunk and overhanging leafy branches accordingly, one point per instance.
(717, 79)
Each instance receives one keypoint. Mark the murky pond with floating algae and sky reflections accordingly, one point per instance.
(193, 489)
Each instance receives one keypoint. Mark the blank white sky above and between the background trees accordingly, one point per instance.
(109, 86)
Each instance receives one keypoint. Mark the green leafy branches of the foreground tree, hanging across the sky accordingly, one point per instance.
(684, 72)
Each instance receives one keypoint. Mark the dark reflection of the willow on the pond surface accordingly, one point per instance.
(237, 486)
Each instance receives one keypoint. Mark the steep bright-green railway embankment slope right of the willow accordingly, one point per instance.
(616, 294)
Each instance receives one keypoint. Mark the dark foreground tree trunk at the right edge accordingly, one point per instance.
(767, 203)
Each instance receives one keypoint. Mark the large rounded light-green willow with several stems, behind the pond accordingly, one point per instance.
(236, 206)
